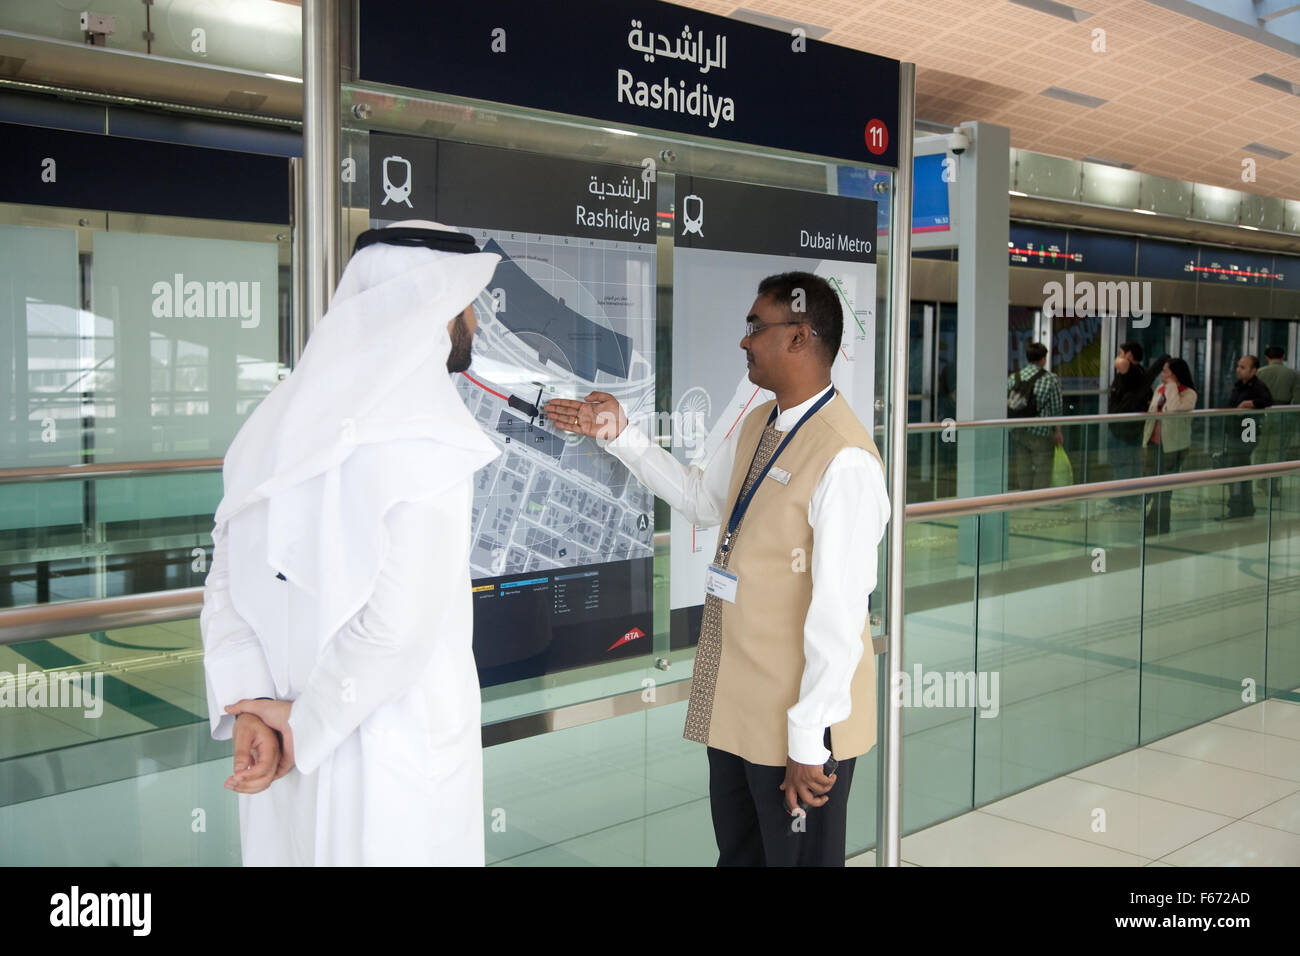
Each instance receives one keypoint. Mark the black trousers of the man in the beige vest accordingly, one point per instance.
(753, 828)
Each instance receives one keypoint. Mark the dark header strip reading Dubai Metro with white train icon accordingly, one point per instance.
(738, 218)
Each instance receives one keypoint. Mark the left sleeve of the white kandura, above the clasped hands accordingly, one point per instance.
(235, 665)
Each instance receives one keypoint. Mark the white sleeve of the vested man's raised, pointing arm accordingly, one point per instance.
(700, 495)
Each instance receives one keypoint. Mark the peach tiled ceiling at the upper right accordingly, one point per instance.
(1181, 102)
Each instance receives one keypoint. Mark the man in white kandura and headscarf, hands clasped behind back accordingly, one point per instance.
(337, 618)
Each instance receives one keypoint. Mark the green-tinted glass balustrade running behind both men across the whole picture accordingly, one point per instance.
(1039, 642)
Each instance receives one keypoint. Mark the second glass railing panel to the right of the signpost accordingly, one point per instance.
(1058, 644)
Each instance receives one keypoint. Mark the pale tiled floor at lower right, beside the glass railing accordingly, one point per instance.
(1223, 794)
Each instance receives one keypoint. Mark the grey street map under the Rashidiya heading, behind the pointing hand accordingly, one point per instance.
(562, 317)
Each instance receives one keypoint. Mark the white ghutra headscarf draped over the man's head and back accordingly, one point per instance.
(367, 421)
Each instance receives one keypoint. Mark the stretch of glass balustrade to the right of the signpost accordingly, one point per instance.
(1090, 630)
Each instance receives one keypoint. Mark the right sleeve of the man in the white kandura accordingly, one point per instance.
(385, 648)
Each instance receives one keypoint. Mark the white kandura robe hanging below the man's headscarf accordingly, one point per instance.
(404, 786)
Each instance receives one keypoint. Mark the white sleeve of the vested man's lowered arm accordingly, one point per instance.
(848, 513)
